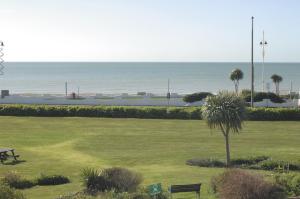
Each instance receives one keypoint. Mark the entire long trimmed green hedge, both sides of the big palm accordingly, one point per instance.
(256, 114)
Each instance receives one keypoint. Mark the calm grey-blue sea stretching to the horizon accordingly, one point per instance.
(134, 77)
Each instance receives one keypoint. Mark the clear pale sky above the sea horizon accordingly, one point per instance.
(148, 30)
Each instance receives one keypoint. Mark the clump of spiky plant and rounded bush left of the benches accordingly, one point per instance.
(116, 178)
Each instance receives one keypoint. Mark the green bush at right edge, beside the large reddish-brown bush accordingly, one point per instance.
(289, 182)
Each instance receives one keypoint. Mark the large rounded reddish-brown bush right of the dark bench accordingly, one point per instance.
(237, 184)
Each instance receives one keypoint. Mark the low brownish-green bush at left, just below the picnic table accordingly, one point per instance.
(15, 181)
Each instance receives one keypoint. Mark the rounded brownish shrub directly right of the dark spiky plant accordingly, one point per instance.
(122, 179)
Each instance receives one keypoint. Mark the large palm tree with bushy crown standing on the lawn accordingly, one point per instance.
(225, 111)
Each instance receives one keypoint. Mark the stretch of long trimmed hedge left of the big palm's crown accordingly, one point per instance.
(101, 111)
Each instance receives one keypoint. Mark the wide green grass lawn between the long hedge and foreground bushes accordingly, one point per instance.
(156, 148)
